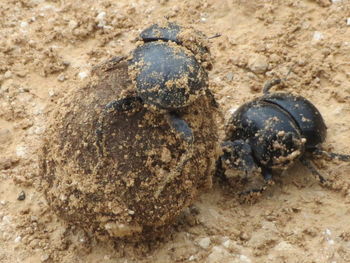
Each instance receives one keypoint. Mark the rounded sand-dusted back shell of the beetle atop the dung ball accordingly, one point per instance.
(167, 75)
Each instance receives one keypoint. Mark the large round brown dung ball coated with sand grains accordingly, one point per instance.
(130, 182)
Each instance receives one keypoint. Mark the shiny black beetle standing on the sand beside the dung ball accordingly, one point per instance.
(270, 133)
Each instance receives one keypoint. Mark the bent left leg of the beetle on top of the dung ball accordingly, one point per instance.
(127, 104)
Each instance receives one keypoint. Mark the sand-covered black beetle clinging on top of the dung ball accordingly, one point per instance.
(169, 74)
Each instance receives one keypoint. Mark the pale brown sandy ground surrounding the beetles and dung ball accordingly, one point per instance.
(49, 47)
